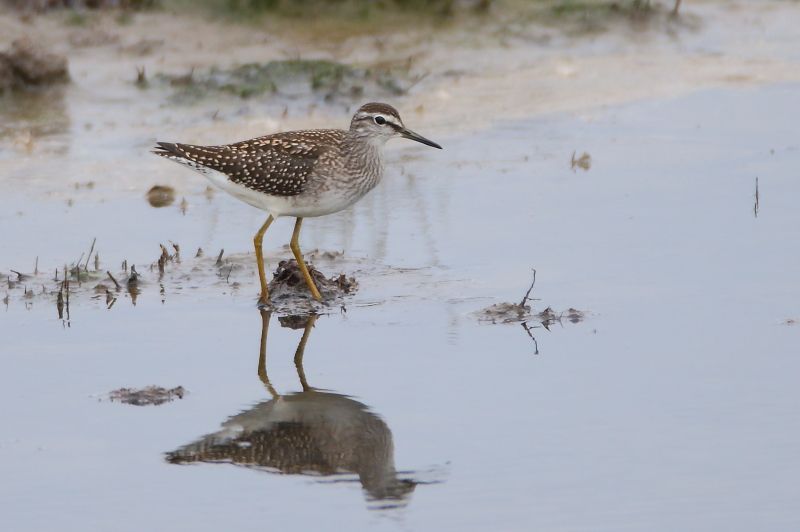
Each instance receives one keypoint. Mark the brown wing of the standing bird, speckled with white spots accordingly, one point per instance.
(279, 164)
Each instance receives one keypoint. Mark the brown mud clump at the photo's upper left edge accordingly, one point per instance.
(25, 65)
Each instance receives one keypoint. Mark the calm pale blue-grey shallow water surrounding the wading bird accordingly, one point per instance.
(672, 406)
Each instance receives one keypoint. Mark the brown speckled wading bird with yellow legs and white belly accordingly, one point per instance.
(299, 173)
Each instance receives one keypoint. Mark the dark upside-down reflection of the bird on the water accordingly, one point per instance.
(312, 432)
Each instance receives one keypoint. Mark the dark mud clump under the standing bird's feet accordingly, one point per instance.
(288, 283)
